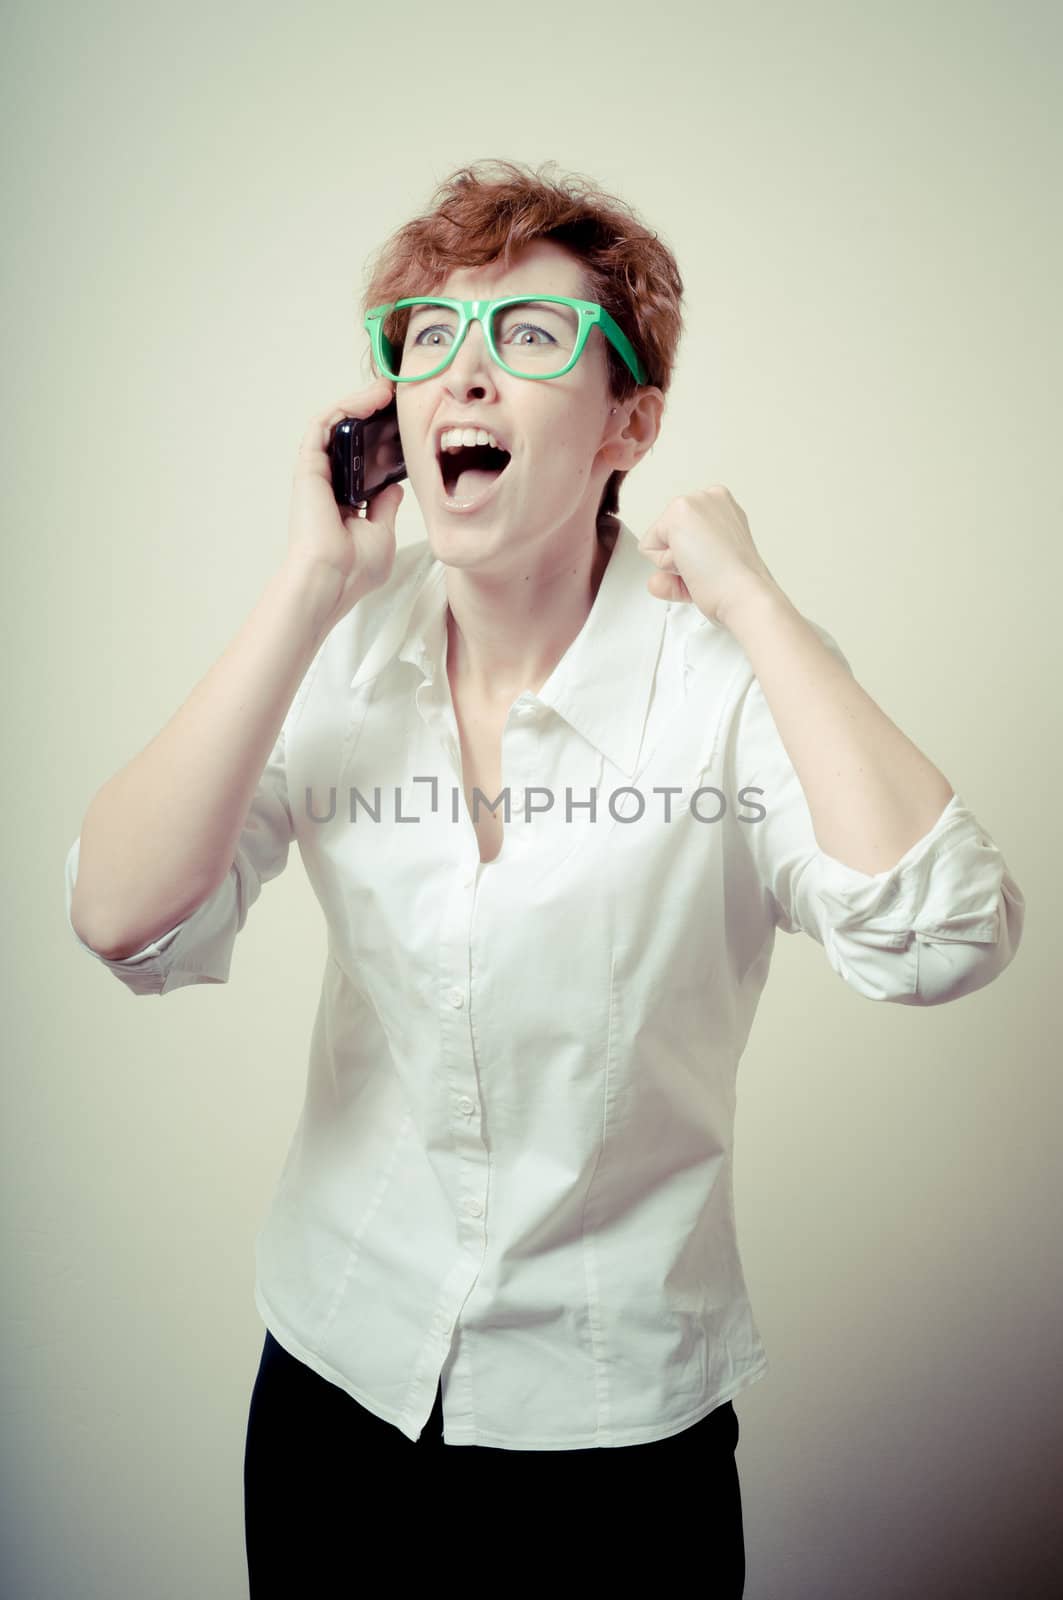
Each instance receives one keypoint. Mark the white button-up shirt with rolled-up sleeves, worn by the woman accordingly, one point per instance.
(513, 1167)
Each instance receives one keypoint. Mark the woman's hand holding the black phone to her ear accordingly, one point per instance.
(348, 551)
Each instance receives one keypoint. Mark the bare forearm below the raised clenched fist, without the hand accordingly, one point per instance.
(872, 794)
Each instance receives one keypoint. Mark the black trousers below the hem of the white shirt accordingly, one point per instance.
(335, 1497)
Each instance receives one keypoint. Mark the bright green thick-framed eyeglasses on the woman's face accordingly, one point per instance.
(542, 335)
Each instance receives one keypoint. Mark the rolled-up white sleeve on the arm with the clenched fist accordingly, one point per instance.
(945, 921)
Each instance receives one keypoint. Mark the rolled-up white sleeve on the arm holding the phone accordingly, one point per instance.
(199, 950)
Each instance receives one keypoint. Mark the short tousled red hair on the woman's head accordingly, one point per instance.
(491, 210)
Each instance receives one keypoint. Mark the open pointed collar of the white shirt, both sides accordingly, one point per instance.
(601, 686)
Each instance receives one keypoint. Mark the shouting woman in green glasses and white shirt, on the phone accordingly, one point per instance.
(555, 790)
